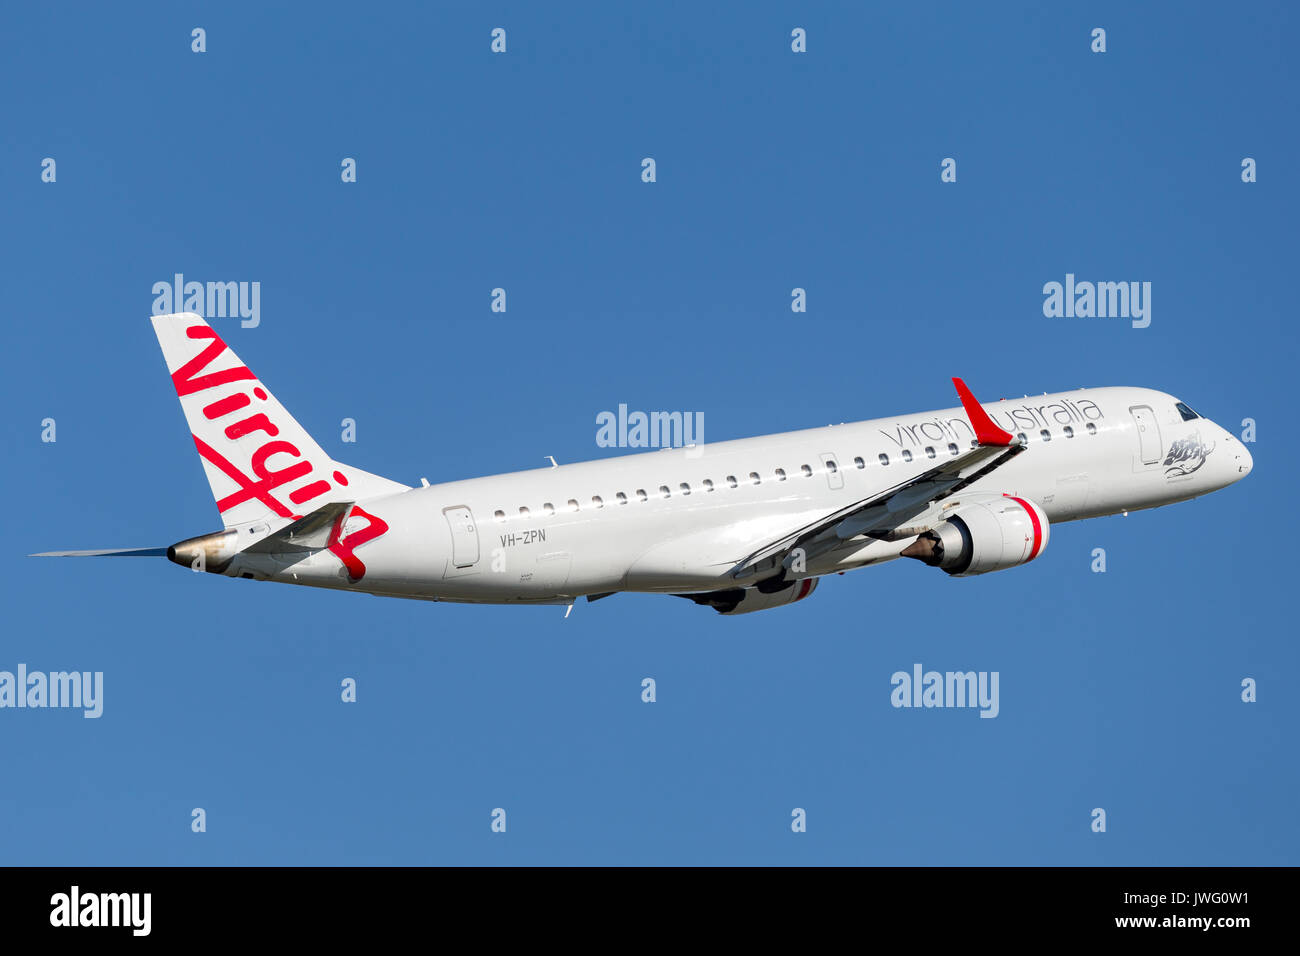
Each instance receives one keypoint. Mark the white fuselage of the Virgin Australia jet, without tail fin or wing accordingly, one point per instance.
(679, 520)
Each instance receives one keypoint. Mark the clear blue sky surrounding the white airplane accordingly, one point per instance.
(523, 171)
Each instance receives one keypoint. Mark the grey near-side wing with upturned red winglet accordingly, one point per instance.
(885, 513)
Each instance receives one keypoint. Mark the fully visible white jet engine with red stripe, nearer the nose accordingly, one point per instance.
(985, 537)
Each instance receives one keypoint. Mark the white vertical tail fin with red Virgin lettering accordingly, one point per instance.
(261, 464)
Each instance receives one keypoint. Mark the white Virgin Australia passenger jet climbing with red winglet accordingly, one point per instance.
(736, 526)
